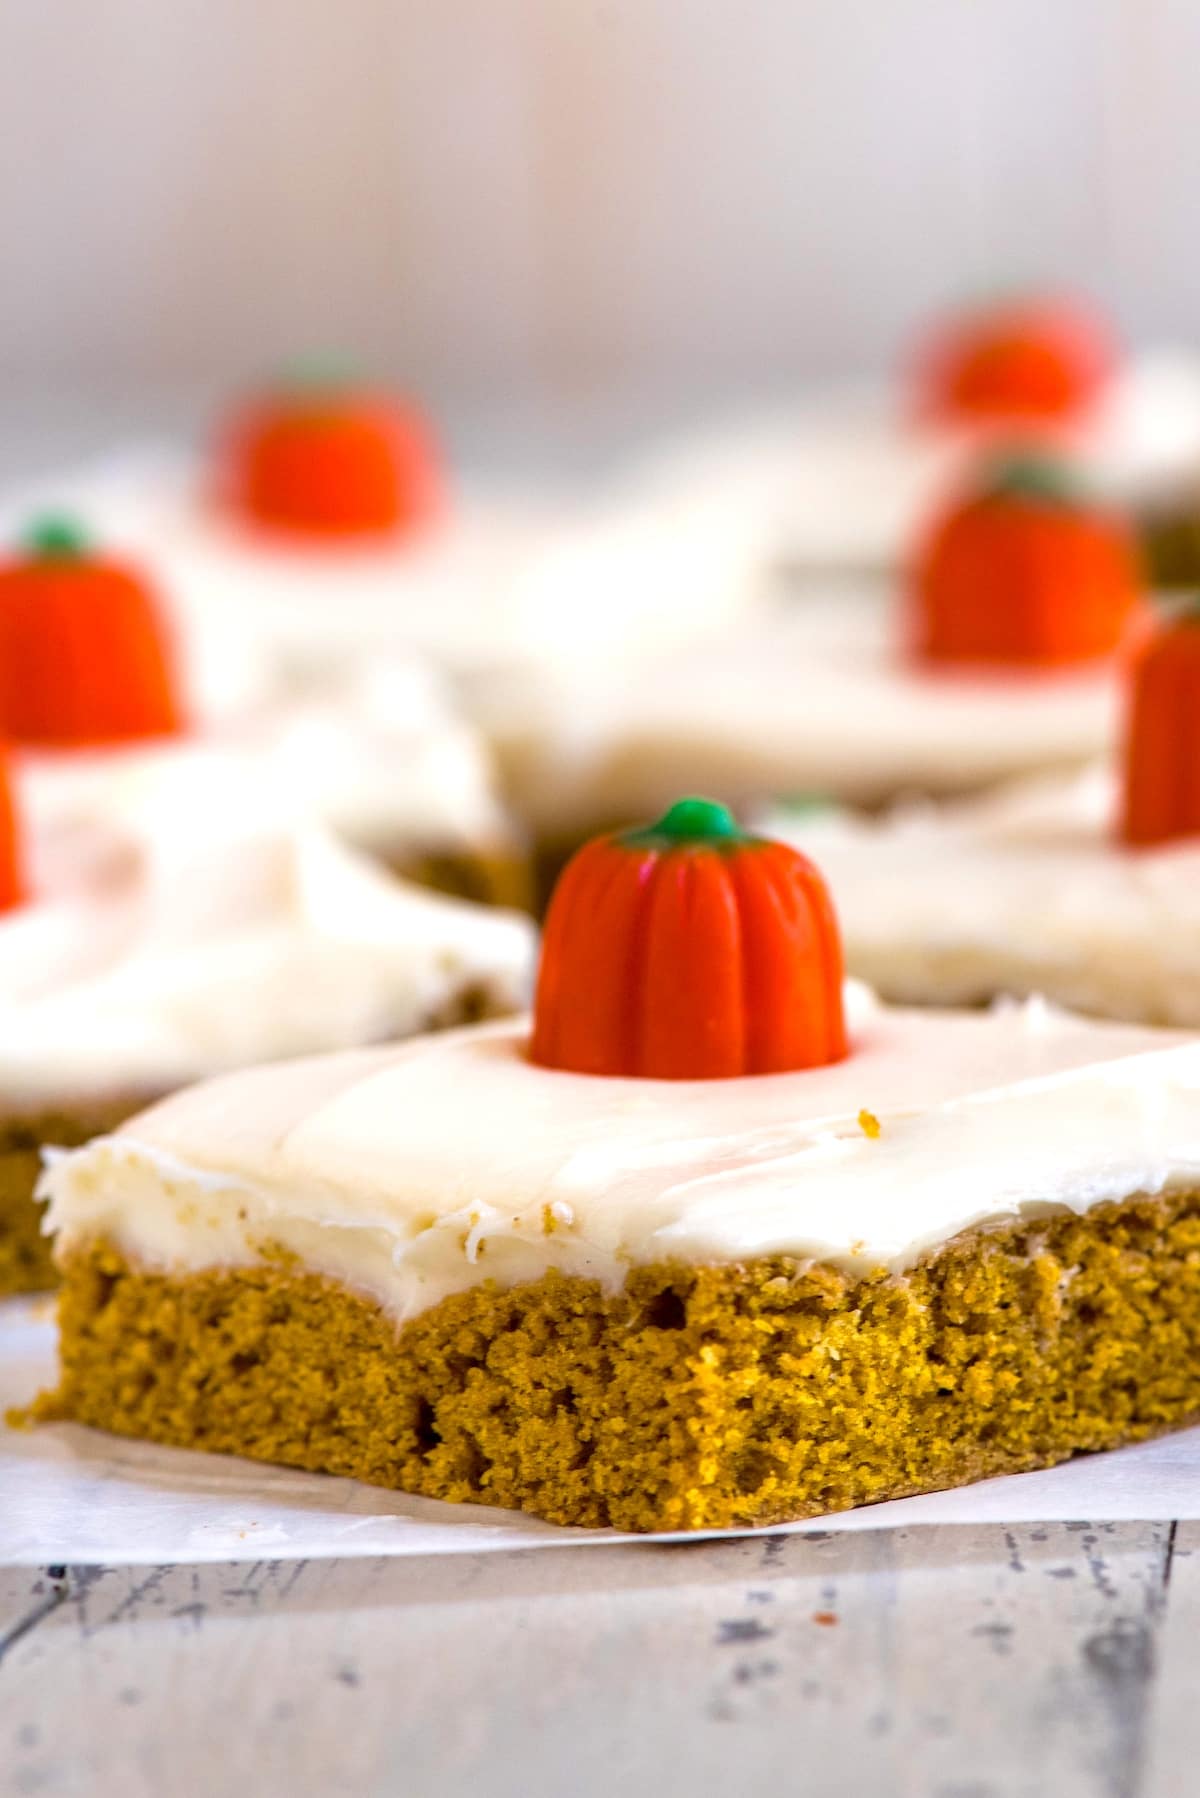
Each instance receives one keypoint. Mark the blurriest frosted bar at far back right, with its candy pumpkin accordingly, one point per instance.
(848, 477)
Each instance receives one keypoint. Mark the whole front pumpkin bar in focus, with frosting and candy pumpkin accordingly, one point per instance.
(708, 1243)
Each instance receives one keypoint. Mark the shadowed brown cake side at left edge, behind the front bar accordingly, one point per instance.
(26, 1256)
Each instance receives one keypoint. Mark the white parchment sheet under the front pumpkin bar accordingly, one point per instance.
(71, 1495)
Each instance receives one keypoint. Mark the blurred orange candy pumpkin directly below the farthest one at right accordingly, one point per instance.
(1025, 573)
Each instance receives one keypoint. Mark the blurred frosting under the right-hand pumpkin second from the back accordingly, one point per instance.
(823, 700)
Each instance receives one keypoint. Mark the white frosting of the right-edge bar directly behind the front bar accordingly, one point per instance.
(1021, 893)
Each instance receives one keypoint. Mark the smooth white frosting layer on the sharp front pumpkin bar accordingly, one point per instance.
(418, 1171)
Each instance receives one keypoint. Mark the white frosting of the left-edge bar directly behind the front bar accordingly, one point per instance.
(201, 929)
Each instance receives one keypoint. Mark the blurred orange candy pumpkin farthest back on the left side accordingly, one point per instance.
(328, 459)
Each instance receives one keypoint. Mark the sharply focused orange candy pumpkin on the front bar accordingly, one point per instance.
(690, 952)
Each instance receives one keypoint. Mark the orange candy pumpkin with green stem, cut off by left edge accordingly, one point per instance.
(85, 657)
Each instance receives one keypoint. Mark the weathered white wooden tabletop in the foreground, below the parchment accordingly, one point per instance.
(1017, 1662)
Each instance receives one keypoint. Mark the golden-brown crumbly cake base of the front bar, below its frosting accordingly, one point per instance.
(697, 1398)
